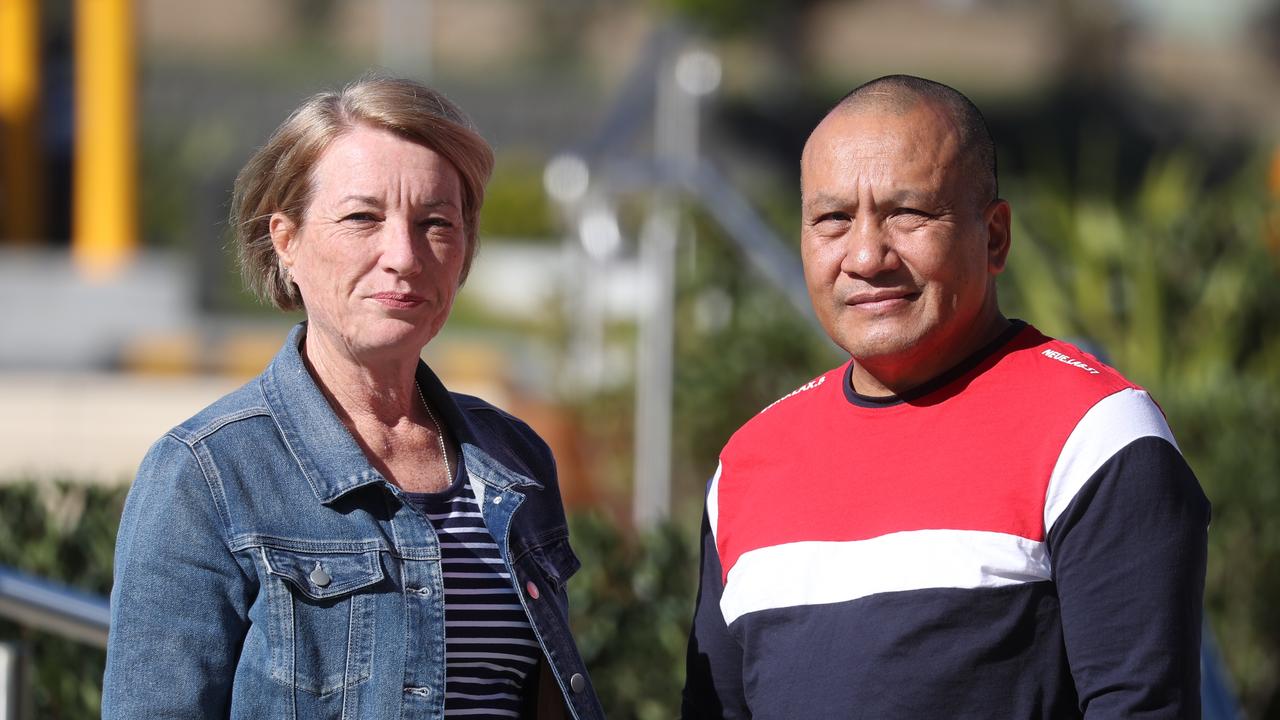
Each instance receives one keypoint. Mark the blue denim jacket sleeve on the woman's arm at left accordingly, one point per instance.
(179, 601)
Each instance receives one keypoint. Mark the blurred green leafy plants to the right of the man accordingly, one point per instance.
(1178, 289)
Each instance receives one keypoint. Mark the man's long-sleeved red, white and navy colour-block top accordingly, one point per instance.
(1018, 539)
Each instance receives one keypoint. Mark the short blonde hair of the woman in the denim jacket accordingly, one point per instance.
(278, 177)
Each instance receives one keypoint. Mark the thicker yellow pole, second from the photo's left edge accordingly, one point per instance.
(104, 194)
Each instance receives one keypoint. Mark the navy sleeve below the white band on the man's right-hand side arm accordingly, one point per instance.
(1128, 558)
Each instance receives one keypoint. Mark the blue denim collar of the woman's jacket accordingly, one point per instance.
(330, 458)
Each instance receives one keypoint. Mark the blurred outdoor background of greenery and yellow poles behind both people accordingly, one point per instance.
(637, 295)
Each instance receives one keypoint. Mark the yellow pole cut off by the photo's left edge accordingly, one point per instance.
(21, 179)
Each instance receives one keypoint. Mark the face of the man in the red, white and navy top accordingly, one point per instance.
(900, 249)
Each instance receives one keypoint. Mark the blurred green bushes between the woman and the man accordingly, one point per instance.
(739, 347)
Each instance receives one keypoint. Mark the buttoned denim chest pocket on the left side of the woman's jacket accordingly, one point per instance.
(323, 609)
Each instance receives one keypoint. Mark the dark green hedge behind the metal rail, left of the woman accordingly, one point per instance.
(61, 532)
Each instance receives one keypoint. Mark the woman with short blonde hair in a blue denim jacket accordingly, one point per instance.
(342, 537)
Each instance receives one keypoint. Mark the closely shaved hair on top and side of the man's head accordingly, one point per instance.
(899, 95)
